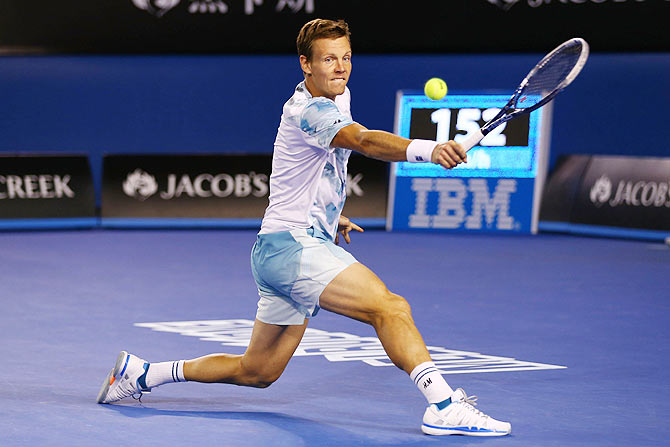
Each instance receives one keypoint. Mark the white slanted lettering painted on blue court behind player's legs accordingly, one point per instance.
(344, 347)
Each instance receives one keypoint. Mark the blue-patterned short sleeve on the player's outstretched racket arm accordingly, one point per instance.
(321, 119)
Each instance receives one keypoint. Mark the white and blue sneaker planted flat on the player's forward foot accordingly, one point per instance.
(462, 418)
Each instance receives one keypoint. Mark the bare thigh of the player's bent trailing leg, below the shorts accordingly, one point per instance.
(272, 346)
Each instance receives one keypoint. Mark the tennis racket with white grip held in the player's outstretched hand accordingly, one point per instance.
(551, 75)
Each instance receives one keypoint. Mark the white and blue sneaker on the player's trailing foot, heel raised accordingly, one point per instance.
(127, 378)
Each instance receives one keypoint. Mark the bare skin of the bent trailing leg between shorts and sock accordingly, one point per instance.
(270, 349)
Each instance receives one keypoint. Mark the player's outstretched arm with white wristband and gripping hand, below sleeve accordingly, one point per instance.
(389, 147)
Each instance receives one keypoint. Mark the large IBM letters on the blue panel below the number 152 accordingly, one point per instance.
(451, 211)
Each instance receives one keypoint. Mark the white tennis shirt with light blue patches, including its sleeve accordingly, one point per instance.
(307, 185)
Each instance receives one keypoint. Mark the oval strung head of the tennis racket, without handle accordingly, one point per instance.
(551, 75)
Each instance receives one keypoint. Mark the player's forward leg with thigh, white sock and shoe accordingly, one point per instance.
(358, 293)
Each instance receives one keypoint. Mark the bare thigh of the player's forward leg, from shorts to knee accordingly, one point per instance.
(358, 293)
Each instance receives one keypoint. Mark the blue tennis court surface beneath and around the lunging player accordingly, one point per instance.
(566, 337)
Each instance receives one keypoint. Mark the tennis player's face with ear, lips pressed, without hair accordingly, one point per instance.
(329, 68)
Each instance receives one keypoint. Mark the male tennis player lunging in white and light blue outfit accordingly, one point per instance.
(296, 263)
